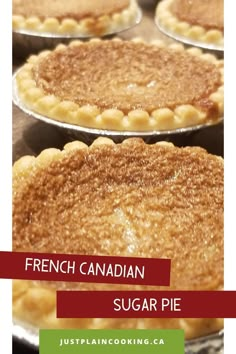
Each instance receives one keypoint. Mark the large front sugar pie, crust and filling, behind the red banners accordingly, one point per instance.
(129, 199)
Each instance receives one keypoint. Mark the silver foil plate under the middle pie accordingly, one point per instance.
(89, 134)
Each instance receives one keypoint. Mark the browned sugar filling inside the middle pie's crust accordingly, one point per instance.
(127, 76)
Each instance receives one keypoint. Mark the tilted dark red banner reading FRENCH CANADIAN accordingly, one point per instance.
(80, 268)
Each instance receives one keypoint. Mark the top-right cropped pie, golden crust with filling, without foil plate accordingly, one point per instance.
(199, 20)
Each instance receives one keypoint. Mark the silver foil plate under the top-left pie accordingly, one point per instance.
(31, 41)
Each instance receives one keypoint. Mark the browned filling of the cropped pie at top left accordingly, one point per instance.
(62, 9)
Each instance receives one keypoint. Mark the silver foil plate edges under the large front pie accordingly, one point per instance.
(211, 344)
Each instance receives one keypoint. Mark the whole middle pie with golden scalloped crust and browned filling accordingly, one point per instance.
(124, 85)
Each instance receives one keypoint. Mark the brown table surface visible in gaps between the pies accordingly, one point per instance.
(30, 137)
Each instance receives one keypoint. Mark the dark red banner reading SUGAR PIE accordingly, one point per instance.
(146, 304)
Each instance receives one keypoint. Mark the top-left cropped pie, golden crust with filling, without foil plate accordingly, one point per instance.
(66, 17)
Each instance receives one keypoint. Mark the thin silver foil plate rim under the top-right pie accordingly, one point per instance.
(218, 49)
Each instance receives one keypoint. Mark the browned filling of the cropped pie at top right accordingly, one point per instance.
(206, 13)
